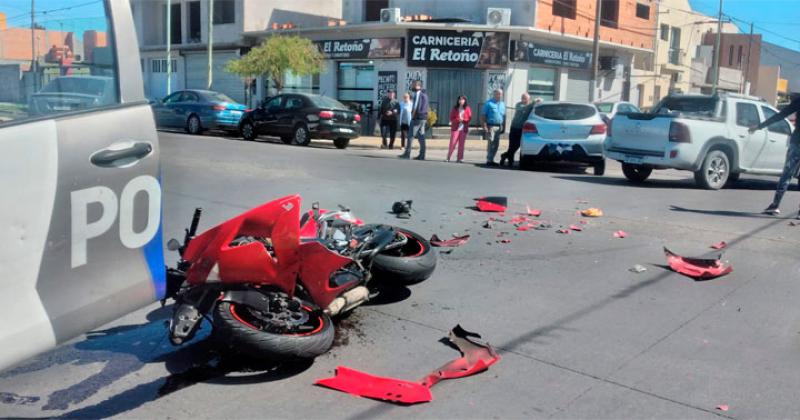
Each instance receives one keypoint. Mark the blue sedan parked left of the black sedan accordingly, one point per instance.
(198, 110)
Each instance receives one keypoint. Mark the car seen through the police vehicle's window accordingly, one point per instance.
(73, 93)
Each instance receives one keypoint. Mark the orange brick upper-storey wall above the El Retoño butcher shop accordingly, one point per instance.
(631, 30)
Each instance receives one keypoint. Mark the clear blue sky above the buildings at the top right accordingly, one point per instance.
(778, 21)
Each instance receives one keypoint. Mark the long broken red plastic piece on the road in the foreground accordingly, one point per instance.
(476, 357)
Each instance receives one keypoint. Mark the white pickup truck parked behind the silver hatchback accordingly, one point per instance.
(707, 135)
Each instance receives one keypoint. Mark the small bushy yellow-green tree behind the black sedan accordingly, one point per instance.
(277, 55)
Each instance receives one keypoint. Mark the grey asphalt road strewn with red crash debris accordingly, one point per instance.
(581, 336)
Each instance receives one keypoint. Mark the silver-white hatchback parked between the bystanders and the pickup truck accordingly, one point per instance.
(564, 131)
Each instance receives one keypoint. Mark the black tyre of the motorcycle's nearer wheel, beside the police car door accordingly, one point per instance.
(235, 327)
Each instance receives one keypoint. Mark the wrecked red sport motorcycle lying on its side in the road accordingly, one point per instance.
(273, 279)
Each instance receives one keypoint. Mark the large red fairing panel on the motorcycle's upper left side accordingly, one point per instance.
(278, 220)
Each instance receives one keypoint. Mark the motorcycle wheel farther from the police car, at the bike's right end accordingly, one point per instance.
(409, 264)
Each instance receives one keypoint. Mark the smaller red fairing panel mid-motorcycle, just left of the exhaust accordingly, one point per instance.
(318, 265)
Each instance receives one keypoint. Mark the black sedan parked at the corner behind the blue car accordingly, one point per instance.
(298, 118)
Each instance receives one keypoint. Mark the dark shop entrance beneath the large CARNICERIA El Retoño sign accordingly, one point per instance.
(444, 86)
